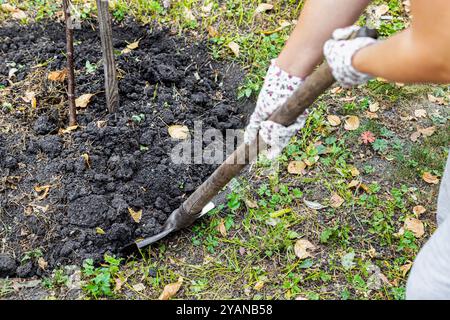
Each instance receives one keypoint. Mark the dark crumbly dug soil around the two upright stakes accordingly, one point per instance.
(167, 80)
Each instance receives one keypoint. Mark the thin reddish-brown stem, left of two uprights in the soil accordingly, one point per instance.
(70, 68)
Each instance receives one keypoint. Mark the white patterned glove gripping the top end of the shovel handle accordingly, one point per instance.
(339, 53)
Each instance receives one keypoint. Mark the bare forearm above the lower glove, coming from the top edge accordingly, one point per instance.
(318, 19)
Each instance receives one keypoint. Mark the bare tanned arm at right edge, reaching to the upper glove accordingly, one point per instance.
(418, 54)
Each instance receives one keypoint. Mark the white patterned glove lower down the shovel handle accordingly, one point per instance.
(277, 88)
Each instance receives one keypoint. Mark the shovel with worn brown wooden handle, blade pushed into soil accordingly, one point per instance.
(198, 203)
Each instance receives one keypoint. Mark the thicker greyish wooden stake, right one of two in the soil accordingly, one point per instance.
(111, 86)
